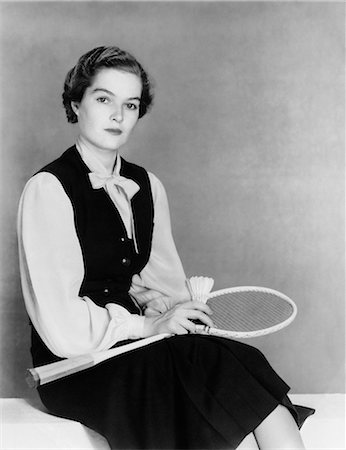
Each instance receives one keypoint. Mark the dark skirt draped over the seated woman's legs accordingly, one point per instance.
(185, 392)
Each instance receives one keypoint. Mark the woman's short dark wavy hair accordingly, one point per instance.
(80, 77)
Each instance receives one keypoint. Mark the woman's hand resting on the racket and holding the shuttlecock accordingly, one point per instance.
(177, 320)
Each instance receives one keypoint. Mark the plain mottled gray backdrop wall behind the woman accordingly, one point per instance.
(247, 134)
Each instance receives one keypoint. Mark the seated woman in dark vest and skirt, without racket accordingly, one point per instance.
(99, 268)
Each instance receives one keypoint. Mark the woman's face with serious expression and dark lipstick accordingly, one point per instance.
(109, 109)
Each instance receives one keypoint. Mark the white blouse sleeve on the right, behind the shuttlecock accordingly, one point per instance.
(161, 283)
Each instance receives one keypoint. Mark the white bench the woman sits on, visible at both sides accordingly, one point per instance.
(24, 424)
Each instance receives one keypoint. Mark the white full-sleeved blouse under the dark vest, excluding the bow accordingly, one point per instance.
(52, 270)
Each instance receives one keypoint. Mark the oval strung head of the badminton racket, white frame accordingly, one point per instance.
(250, 311)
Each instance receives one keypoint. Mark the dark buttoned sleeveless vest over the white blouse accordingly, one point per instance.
(109, 256)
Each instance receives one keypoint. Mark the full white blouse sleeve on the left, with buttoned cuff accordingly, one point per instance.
(52, 271)
